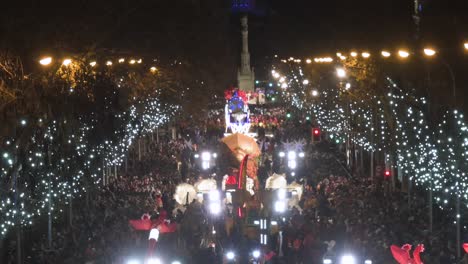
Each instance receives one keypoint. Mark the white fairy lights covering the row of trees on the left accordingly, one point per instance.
(46, 162)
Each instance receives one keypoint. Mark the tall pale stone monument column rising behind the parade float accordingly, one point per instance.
(246, 74)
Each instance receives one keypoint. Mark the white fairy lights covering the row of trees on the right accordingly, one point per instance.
(434, 156)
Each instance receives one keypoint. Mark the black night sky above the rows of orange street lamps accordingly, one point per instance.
(207, 31)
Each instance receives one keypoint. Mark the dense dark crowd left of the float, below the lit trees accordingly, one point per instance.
(99, 231)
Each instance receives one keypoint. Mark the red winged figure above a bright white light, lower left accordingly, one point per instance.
(156, 227)
